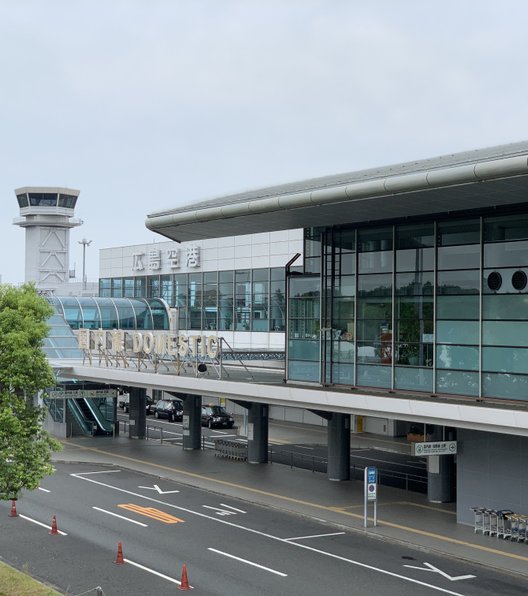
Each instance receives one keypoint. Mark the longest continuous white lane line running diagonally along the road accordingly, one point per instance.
(270, 536)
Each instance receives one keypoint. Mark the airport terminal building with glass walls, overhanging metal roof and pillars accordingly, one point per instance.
(399, 294)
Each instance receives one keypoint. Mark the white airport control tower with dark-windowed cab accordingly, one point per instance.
(47, 215)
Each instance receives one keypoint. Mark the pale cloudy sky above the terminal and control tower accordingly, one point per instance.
(147, 104)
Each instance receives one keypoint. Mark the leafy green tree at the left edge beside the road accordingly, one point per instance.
(25, 447)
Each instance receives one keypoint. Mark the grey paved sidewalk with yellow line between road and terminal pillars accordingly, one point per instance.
(402, 516)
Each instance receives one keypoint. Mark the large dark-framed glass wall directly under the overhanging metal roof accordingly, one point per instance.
(435, 307)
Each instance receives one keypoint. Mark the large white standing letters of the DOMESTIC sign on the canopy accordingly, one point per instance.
(148, 342)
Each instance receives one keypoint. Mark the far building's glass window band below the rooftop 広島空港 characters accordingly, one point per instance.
(239, 300)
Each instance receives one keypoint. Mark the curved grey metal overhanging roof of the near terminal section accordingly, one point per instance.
(458, 182)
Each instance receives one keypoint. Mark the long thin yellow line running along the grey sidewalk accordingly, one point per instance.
(301, 502)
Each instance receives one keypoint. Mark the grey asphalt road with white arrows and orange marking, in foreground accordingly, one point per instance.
(229, 546)
